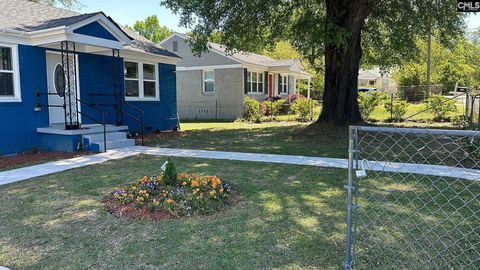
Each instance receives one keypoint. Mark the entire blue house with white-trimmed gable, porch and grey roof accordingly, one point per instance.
(71, 81)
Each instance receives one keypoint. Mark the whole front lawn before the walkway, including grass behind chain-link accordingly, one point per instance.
(288, 217)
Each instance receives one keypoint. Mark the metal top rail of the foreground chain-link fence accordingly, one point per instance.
(448, 132)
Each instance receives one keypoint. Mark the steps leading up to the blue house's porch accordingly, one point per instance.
(117, 139)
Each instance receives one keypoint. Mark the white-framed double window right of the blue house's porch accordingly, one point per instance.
(141, 81)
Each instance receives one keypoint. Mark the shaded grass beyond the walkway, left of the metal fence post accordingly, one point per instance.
(291, 138)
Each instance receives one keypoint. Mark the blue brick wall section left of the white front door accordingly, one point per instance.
(19, 120)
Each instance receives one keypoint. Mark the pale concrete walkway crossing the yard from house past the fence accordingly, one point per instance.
(20, 174)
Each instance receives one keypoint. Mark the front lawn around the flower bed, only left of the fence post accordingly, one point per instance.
(289, 217)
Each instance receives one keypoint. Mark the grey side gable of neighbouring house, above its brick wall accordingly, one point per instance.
(191, 60)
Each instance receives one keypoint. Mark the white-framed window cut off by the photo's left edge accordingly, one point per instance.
(9, 86)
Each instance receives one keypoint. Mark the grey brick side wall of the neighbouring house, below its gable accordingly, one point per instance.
(225, 103)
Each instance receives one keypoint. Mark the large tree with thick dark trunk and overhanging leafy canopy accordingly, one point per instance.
(341, 31)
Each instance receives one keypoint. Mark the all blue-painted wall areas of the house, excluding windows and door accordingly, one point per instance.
(19, 121)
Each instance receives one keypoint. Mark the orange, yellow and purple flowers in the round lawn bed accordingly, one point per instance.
(190, 194)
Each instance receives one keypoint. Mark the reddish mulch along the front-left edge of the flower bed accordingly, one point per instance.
(129, 211)
